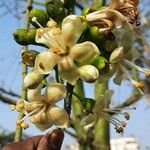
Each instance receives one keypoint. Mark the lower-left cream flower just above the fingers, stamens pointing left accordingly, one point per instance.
(41, 109)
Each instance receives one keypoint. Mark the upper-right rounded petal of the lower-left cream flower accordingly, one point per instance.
(55, 92)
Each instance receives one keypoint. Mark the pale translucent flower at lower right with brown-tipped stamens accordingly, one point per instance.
(101, 110)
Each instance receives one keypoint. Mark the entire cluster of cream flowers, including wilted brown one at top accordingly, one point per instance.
(71, 55)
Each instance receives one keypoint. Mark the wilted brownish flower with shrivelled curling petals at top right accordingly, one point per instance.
(117, 14)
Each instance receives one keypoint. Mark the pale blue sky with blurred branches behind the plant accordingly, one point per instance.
(12, 17)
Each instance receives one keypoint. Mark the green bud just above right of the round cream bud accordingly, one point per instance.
(99, 62)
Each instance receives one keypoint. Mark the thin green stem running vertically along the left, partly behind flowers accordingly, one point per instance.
(18, 133)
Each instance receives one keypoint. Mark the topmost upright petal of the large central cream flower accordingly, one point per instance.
(71, 30)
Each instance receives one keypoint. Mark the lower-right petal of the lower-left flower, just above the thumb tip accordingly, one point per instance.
(59, 116)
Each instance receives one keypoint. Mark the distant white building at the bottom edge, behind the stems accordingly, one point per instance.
(125, 143)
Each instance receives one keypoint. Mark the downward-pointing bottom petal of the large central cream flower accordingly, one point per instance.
(68, 70)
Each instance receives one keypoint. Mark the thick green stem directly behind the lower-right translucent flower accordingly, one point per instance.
(101, 137)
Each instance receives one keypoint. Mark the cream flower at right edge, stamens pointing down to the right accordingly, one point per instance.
(121, 61)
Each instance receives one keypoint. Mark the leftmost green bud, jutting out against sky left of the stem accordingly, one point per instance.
(25, 37)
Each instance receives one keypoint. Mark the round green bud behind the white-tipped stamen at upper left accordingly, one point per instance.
(41, 17)
